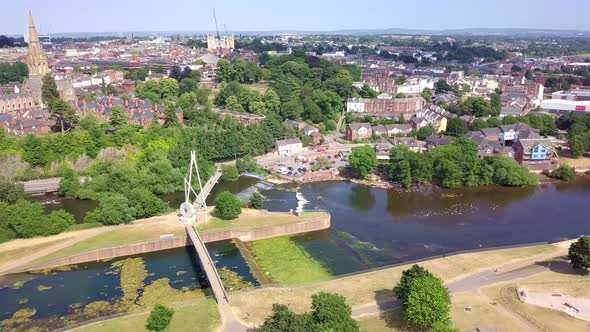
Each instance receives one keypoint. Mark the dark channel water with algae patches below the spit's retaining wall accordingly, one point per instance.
(57, 294)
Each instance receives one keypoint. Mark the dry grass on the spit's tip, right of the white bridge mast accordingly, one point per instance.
(250, 219)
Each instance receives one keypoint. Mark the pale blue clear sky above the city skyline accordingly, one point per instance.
(54, 16)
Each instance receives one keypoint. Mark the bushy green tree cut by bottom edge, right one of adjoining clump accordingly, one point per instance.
(331, 313)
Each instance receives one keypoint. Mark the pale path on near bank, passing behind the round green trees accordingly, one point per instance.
(475, 281)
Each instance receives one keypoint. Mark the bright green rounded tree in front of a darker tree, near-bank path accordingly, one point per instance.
(428, 303)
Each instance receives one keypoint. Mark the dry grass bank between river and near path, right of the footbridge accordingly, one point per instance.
(254, 305)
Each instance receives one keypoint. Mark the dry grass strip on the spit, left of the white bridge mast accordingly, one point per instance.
(120, 235)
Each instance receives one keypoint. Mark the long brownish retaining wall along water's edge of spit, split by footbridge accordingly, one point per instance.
(182, 241)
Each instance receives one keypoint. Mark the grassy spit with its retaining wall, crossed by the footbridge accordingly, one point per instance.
(160, 233)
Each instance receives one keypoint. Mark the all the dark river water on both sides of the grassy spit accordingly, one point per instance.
(371, 227)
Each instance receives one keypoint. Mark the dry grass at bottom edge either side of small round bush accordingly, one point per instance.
(200, 315)
